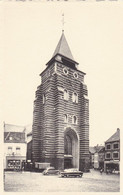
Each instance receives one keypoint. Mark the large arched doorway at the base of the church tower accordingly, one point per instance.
(71, 149)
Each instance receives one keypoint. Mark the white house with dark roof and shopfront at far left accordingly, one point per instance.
(14, 147)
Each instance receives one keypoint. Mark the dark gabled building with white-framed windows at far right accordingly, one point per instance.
(112, 152)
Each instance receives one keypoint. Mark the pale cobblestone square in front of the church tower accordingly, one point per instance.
(36, 182)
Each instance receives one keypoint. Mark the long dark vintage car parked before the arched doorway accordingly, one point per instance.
(71, 173)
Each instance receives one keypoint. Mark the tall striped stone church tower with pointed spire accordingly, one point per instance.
(60, 133)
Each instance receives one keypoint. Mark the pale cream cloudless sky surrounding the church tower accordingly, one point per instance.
(94, 33)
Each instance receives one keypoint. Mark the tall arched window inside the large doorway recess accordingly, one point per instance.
(68, 145)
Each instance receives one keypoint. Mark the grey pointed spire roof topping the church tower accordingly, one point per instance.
(63, 48)
